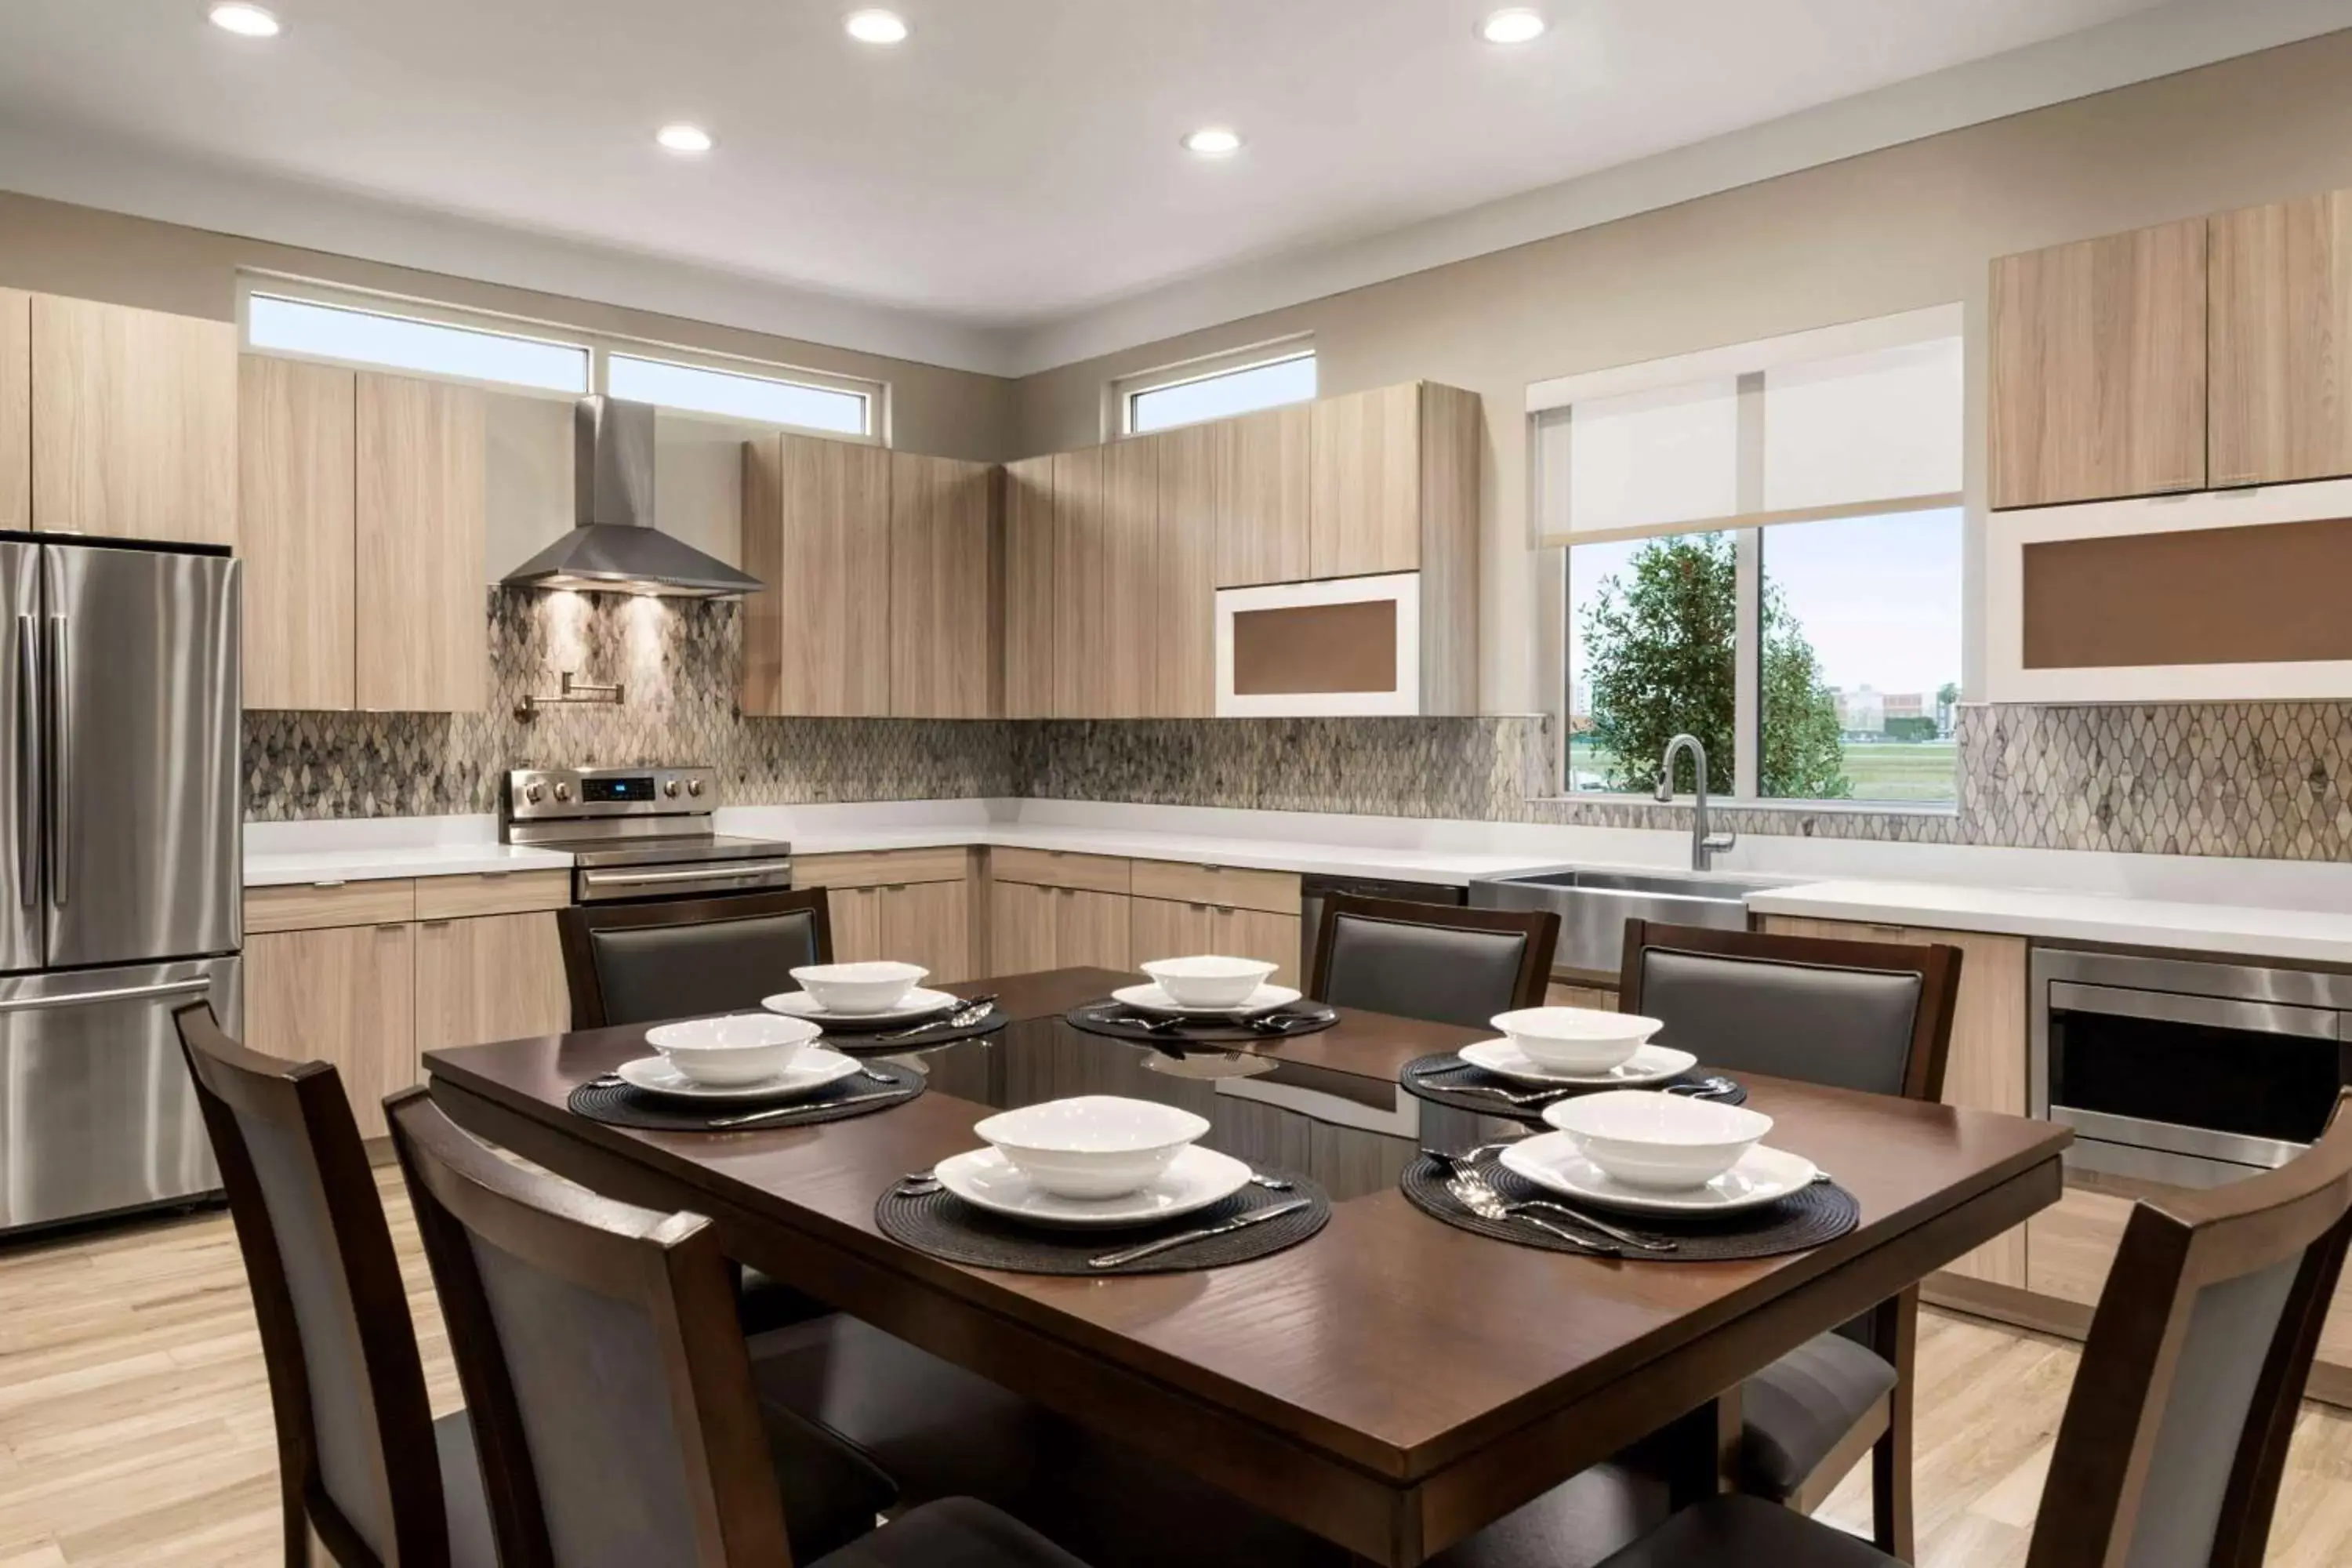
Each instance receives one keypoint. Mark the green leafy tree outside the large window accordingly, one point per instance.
(1662, 662)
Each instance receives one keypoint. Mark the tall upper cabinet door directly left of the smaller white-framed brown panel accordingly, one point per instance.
(1194, 476)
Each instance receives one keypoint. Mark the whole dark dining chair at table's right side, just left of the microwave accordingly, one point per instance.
(1873, 1017)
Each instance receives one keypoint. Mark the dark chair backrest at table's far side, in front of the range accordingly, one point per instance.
(641, 963)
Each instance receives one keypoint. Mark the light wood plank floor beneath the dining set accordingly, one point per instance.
(135, 1421)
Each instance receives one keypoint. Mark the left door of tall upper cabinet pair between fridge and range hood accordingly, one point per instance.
(298, 485)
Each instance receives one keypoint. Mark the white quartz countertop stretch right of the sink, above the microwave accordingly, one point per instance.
(2085, 918)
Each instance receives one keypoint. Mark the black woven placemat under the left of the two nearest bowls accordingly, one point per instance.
(947, 1226)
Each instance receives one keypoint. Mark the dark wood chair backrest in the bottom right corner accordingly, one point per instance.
(2177, 1433)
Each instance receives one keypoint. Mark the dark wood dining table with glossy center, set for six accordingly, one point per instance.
(1394, 1383)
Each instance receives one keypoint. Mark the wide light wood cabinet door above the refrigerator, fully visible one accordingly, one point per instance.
(135, 422)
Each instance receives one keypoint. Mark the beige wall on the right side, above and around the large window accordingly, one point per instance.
(1890, 232)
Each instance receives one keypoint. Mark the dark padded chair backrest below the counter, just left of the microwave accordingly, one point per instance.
(1873, 1017)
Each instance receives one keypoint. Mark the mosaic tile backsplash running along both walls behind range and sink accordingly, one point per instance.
(2217, 779)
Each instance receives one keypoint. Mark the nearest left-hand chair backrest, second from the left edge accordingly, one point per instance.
(603, 1365)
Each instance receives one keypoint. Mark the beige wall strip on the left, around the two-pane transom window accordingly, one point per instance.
(161, 267)
